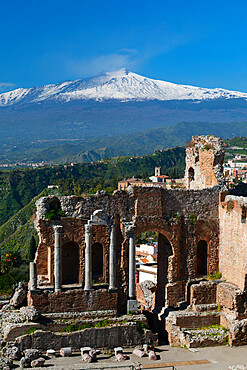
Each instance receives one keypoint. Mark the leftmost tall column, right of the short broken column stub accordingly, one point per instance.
(57, 258)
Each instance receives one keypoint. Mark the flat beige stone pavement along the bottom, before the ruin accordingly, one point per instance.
(218, 358)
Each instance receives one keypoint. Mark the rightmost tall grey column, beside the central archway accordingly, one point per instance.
(132, 262)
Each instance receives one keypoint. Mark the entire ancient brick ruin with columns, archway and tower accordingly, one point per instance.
(85, 260)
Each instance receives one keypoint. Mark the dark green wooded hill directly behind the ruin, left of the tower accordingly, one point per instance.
(19, 187)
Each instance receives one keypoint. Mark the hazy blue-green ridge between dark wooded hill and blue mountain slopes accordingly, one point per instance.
(138, 143)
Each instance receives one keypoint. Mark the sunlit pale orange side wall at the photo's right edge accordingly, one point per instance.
(233, 240)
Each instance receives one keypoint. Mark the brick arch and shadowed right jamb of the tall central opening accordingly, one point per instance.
(165, 260)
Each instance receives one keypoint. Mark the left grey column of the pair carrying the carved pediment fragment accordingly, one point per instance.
(88, 257)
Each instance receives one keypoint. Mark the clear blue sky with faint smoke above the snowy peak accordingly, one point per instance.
(201, 43)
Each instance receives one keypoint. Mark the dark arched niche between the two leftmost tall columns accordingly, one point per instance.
(70, 263)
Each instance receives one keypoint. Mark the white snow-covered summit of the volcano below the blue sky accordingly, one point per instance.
(121, 85)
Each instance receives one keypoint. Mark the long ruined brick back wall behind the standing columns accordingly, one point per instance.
(184, 217)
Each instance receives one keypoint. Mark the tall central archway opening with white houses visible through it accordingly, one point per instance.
(153, 250)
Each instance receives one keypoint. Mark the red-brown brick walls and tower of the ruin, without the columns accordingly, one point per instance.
(182, 217)
